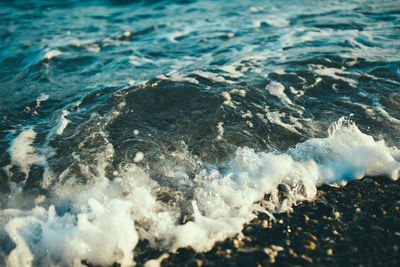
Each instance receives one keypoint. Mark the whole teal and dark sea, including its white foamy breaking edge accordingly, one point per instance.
(176, 122)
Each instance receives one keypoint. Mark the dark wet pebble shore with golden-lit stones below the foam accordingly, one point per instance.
(355, 225)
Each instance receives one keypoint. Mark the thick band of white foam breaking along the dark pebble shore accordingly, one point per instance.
(102, 221)
